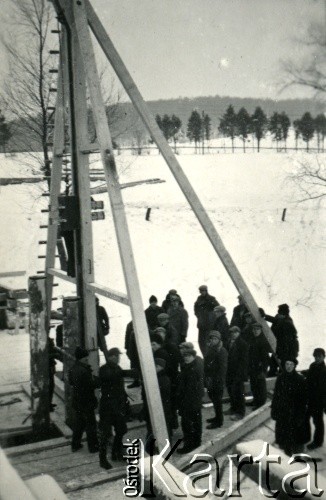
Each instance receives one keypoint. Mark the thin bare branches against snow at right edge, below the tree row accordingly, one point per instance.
(310, 178)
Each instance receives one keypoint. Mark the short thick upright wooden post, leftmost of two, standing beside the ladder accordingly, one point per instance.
(39, 355)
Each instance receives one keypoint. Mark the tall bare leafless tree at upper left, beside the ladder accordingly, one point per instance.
(28, 88)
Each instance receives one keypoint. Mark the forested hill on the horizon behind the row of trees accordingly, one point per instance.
(215, 107)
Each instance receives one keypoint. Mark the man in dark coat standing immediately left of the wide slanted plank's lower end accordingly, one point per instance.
(113, 407)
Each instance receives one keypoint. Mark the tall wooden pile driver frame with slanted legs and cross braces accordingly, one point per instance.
(78, 72)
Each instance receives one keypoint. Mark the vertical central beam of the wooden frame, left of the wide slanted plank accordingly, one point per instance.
(81, 185)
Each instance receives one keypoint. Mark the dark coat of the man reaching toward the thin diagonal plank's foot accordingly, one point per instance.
(287, 345)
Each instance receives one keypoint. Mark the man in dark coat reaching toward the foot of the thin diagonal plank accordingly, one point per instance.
(287, 345)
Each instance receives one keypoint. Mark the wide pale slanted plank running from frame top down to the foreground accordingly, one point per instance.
(121, 227)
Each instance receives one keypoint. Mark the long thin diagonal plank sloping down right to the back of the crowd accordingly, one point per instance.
(183, 182)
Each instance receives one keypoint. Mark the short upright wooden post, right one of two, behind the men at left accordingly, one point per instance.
(72, 337)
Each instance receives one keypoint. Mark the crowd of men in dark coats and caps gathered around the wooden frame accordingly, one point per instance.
(232, 352)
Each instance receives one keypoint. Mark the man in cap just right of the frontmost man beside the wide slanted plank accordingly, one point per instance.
(215, 366)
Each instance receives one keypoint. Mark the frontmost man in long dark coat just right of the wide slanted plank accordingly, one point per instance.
(190, 393)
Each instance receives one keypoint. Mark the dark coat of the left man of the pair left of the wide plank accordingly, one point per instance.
(83, 385)
